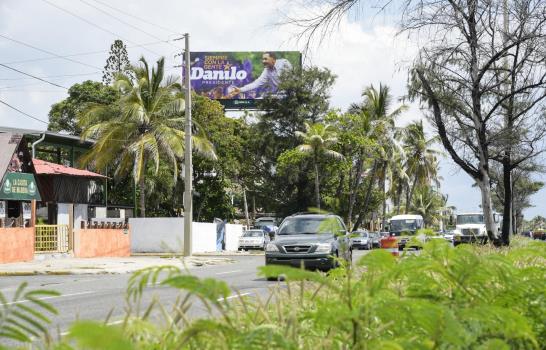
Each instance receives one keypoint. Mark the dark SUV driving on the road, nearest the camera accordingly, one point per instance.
(310, 239)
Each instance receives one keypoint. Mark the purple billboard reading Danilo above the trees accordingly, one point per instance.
(238, 79)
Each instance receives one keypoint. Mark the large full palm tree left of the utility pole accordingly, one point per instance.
(145, 125)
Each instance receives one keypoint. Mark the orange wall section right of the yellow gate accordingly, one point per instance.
(90, 243)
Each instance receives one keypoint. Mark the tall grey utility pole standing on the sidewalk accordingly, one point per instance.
(188, 168)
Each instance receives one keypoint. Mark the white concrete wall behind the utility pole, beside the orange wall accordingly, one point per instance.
(166, 235)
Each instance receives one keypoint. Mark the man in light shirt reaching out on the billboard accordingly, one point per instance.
(269, 79)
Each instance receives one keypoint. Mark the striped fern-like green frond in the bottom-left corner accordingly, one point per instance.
(26, 315)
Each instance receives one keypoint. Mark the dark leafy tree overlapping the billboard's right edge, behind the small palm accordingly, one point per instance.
(274, 132)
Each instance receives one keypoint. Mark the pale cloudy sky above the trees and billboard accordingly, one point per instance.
(36, 36)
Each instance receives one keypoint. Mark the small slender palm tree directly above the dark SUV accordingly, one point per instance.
(317, 140)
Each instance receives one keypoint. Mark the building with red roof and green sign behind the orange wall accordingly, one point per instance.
(63, 193)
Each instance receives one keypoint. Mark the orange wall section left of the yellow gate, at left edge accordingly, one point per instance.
(16, 244)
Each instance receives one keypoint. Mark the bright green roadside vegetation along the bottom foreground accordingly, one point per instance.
(469, 297)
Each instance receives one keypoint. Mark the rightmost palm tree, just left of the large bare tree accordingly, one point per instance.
(422, 163)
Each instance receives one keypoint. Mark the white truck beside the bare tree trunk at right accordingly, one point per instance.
(470, 227)
